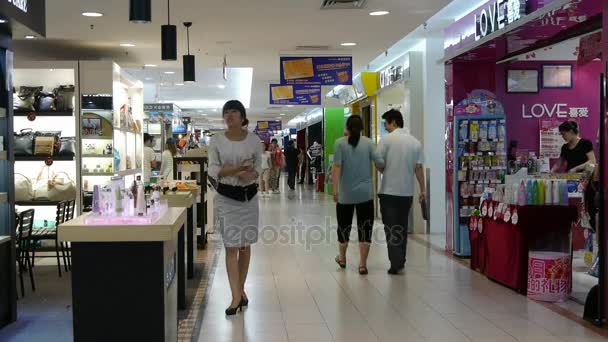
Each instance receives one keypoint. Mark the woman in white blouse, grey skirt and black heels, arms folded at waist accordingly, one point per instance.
(235, 163)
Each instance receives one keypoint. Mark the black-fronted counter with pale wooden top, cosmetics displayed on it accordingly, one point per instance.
(127, 278)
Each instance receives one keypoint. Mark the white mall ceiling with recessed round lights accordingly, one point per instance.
(253, 33)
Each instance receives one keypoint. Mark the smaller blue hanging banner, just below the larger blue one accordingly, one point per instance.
(297, 94)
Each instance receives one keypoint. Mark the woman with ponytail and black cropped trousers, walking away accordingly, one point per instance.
(352, 180)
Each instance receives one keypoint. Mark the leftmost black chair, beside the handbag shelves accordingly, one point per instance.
(24, 245)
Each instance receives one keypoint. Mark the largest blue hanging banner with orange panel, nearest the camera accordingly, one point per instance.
(330, 71)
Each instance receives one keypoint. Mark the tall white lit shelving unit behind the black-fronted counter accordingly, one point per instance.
(111, 127)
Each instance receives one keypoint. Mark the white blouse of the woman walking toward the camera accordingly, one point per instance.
(223, 151)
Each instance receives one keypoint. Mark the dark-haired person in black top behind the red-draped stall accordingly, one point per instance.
(576, 153)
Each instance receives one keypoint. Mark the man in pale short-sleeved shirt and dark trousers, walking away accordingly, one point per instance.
(403, 158)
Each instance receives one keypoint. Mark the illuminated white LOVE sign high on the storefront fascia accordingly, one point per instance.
(497, 16)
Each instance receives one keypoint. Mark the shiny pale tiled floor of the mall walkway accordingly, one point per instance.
(297, 292)
